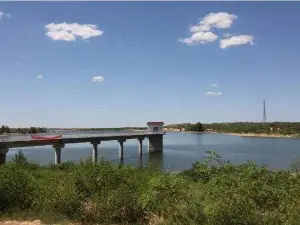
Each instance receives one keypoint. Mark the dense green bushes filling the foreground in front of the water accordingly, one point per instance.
(213, 192)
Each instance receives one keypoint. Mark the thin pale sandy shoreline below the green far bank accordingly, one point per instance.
(263, 135)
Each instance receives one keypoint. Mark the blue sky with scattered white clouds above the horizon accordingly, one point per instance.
(112, 64)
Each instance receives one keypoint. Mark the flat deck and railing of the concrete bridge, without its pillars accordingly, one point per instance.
(14, 141)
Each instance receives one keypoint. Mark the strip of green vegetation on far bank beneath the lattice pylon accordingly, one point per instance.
(284, 128)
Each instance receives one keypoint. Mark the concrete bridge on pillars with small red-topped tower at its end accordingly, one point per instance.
(154, 136)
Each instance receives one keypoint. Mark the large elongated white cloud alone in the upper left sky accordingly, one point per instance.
(69, 32)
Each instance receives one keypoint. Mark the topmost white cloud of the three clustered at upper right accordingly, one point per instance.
(222, 20)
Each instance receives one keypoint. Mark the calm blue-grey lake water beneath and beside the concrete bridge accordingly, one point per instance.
(181, 150)
